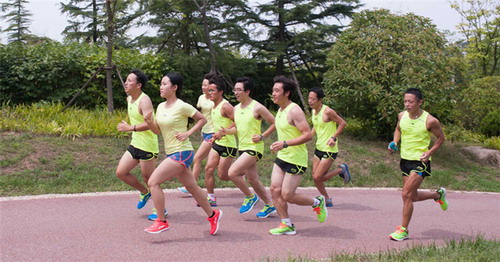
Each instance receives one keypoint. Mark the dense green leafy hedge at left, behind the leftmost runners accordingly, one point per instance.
(55, 72)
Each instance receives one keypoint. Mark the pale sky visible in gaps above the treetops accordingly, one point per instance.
(48, 21)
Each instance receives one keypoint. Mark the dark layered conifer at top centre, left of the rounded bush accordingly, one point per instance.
(299, 29)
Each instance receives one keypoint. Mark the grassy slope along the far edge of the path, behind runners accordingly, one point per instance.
(41, 164)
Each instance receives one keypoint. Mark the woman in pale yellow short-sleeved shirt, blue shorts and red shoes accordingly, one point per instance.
(171, 121)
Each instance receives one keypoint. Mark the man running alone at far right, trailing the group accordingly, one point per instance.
(414, 128)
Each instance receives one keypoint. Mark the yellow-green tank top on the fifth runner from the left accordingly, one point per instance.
(247, 126)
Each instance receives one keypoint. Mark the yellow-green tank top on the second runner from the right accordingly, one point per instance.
(324, 130)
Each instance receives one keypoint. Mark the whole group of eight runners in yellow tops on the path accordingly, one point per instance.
(220, 123)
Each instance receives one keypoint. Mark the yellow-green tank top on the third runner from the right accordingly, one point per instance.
(296, 155)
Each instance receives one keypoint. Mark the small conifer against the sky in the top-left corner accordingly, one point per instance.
(19, 19)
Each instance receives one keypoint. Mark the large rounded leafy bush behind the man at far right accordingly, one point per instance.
(379, 57)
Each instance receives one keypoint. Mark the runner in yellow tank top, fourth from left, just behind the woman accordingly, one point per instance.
(223, 145)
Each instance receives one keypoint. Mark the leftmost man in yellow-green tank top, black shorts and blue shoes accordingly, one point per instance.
(143, 149)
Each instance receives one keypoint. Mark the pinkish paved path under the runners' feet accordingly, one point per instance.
(107, 227)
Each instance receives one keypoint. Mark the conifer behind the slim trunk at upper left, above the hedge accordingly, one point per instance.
(89, 18)
